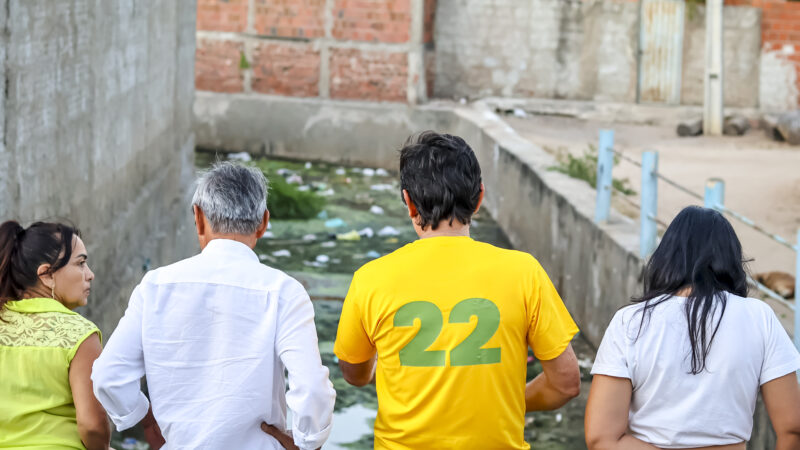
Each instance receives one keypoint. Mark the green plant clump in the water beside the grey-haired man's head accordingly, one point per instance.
(285, 201)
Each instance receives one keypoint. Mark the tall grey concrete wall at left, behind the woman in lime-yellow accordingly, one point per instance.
(97, 129)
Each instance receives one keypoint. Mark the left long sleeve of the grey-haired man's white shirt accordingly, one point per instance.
(117, 373)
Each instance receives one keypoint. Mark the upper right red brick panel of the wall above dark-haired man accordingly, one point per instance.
(386, 21)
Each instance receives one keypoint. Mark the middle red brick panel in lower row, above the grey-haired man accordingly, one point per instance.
(288, 69)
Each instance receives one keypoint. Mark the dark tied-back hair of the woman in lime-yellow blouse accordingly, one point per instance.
(22, 251)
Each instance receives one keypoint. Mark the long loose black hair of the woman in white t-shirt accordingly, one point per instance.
(699, 251)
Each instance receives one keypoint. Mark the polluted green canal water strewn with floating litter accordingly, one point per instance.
(358, 215)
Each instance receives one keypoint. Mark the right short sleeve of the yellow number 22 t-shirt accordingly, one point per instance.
(551, 327)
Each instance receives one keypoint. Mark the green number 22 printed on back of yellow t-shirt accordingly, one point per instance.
(468, 352)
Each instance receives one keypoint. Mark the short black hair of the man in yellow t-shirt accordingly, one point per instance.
(442, 177)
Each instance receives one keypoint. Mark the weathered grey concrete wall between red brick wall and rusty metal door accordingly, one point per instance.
(540, 48)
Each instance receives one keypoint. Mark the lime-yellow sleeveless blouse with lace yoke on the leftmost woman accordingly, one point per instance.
(38, 340)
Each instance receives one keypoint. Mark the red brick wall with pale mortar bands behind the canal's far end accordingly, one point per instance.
(373, 50)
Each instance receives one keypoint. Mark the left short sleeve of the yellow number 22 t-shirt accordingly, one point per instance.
(353, 344)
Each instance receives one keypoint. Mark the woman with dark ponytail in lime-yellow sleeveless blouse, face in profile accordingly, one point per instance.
(46, 349)
